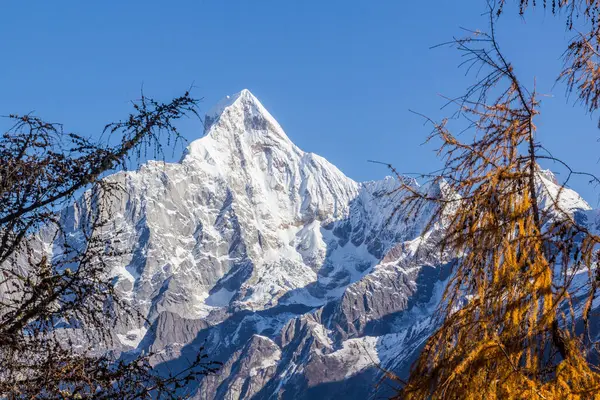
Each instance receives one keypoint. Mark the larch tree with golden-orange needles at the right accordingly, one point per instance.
(508, 317)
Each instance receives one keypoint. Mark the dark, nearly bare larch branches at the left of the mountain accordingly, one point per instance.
(49, 298)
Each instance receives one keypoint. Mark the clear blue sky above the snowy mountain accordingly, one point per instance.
(340, 76)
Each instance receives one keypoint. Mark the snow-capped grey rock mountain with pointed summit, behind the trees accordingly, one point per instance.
(301, 280)
